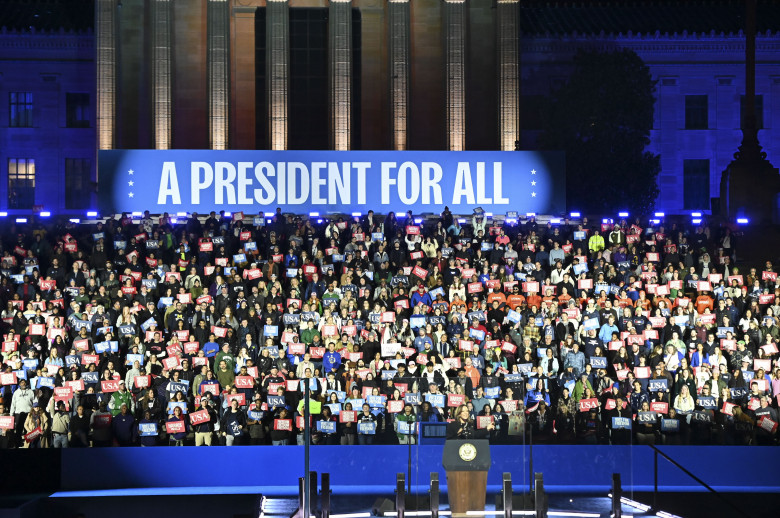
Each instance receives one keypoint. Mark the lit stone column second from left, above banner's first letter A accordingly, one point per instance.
(162, 78)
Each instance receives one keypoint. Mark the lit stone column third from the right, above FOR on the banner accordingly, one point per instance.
(400, 67)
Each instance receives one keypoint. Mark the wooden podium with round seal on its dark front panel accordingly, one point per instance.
(466, 463)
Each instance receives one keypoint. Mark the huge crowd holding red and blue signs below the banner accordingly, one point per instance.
(211, 330)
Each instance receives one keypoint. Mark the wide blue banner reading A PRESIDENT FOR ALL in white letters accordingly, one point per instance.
(331, 181)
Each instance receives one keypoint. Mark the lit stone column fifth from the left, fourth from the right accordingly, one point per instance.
(340, 73)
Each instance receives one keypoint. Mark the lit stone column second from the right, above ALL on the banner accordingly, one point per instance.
(455, 72)
